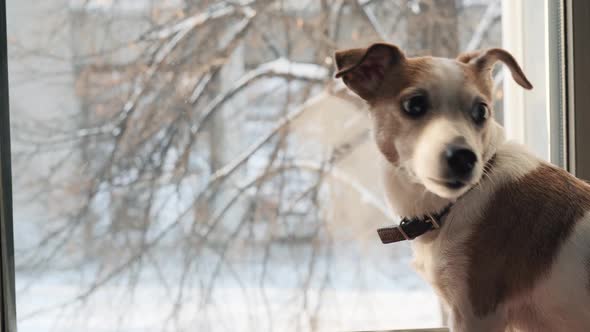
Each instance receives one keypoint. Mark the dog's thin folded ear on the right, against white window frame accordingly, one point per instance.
(485, 61)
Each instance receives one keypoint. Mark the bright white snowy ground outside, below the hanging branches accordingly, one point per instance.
(357, 295)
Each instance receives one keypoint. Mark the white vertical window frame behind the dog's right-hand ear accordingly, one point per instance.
(537, 118)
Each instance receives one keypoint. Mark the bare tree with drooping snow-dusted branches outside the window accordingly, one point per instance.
(181, 152)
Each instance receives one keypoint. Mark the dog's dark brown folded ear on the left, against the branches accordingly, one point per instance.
(364, 69)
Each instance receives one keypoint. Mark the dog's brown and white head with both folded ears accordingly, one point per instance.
(432, 116)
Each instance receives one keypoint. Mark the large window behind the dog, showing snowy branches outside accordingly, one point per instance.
(192, 165)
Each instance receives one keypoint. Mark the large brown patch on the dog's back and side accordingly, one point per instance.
(522, 230)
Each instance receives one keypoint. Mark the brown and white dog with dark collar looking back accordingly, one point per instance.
(502, 236)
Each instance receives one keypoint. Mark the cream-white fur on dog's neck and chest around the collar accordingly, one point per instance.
(439, 255)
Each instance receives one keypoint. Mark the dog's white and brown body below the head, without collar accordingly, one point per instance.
(507, 260)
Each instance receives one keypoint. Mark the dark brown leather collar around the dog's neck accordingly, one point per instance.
(411, 228)
